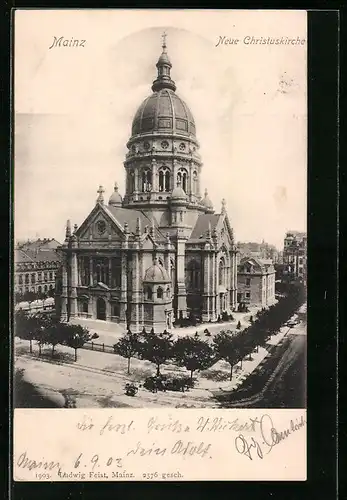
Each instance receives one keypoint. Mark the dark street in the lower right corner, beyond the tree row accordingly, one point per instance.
(278, 382)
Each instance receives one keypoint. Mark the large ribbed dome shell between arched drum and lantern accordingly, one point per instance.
(163, 111)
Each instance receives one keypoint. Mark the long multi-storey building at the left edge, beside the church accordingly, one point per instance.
(35, 266)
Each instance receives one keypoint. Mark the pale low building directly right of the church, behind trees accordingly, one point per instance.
(256, 282)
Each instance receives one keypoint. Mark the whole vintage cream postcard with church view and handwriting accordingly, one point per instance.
(160, 245)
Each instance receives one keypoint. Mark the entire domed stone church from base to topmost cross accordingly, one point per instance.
(160, 252)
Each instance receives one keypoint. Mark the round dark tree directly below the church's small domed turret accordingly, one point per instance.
(156, 348)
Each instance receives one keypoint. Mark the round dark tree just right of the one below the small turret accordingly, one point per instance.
(192, 353)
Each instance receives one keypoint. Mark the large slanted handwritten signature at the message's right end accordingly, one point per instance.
(269, 437)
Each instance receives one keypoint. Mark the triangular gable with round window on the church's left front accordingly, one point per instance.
(100, 225)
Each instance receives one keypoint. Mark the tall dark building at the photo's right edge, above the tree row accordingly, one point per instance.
(295, 256)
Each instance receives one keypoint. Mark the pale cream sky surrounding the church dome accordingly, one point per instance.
(74, 108)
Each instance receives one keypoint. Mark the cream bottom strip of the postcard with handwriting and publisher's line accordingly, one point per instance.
(88, 445)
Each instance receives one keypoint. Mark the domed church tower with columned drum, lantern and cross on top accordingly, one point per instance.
(164, 156)
